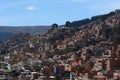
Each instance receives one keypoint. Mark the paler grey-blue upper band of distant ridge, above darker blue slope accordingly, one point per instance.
(25, 29)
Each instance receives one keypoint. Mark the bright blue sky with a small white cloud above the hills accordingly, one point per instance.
(47, 12)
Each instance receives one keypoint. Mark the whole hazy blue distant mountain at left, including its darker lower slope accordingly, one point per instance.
(8, 31)
